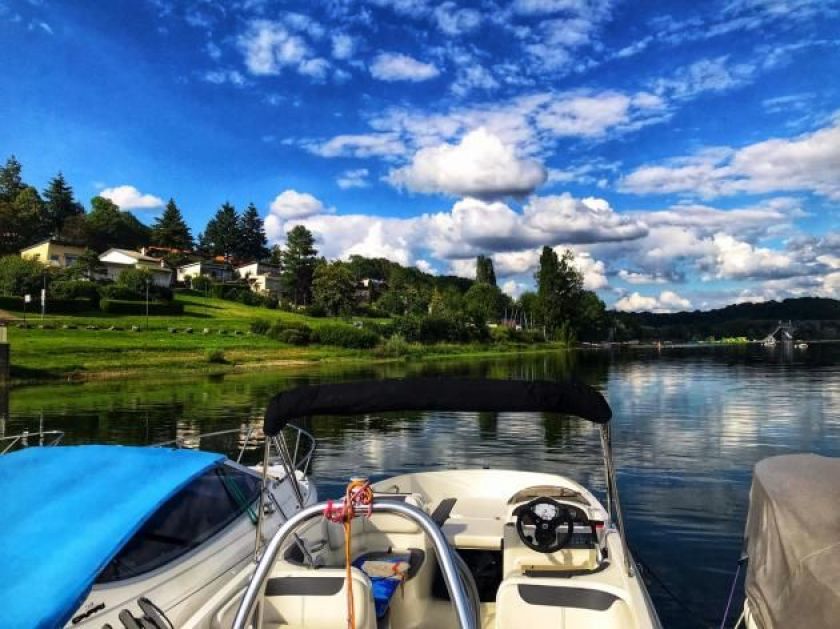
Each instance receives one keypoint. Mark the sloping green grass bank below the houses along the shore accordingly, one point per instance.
(212, 336)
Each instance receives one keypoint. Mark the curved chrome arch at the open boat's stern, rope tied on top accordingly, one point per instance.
(463, 607)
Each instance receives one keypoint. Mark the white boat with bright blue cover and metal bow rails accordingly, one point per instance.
(125, 536)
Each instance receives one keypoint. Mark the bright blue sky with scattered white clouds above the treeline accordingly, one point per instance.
(688, 152)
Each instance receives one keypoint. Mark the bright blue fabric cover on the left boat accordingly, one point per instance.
(66, 511)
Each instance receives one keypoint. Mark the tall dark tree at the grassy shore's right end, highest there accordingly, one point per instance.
(559, 289)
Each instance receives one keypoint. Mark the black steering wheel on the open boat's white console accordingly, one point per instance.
(553, 524)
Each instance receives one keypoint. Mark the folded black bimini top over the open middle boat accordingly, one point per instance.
(436, 394)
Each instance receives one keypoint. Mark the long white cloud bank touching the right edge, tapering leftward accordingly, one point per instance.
(809, 162)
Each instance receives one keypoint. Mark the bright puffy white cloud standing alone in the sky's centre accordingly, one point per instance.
(481, 165)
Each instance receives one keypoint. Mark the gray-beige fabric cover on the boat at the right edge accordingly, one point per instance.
(793, 542)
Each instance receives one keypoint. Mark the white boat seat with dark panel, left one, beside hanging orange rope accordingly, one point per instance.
(316, 599)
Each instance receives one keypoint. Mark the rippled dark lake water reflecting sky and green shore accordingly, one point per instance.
(689, 424)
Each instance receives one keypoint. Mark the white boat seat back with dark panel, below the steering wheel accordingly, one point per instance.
(523, 600)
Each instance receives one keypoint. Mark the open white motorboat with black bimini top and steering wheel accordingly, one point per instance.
(465, 548)
